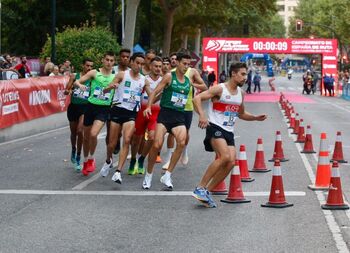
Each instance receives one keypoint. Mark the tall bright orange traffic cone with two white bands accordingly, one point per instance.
(323, 172)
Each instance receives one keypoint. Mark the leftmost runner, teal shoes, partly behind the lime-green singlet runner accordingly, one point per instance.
(75, 112)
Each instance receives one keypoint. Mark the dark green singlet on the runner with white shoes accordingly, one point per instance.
(175, 94)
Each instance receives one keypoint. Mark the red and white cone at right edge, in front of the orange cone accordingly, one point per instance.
(335, 199)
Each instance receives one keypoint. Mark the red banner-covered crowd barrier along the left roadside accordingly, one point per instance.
(31, 98)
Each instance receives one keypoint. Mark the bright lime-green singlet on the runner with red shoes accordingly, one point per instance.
(97, 96)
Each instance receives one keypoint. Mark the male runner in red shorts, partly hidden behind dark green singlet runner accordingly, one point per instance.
(143, 123)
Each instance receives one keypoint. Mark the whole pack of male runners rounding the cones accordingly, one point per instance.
(142, 99)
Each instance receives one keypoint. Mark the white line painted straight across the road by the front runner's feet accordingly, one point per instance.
(132, 193)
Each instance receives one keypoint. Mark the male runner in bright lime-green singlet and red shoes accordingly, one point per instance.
(97, 110)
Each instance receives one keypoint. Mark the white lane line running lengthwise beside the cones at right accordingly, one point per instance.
(331, 222)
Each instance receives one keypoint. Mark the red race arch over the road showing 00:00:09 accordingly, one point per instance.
(326, 47)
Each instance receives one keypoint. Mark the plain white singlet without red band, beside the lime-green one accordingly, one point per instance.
(128, 94)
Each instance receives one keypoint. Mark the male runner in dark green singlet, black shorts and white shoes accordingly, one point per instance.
(171, 118)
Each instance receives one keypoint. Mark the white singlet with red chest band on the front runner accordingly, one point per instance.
(224, 112)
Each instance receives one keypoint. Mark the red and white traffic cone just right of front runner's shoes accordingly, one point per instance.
(235, 194)
